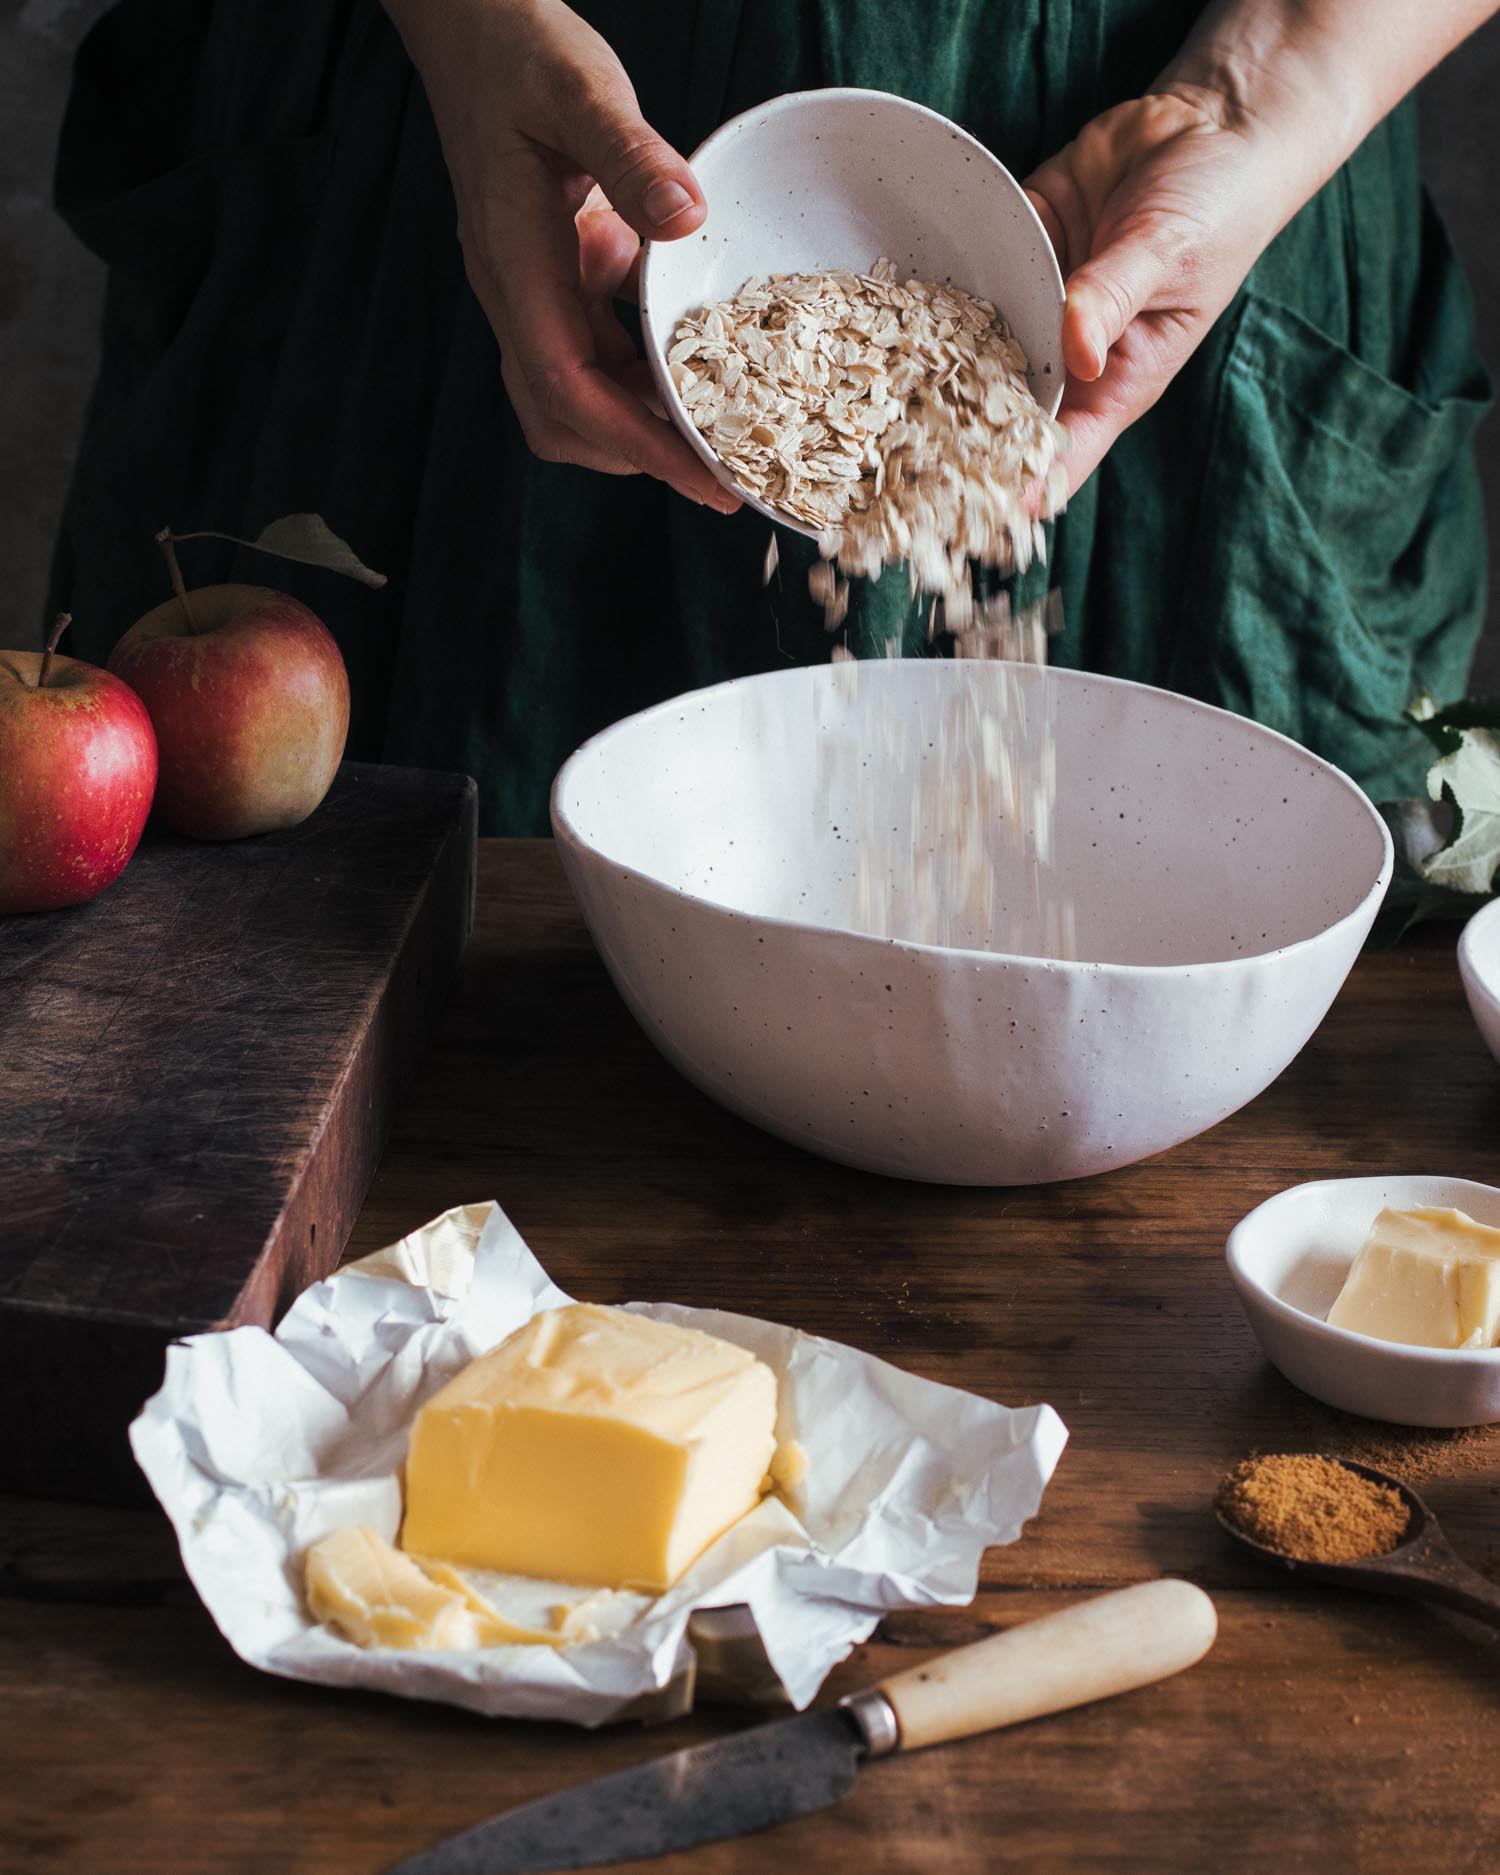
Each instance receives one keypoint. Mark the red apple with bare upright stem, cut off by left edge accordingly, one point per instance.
(78, 768)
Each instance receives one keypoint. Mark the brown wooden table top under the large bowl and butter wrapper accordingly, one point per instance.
(1323, 1733)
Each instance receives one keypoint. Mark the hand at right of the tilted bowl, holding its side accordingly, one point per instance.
(1158, 213)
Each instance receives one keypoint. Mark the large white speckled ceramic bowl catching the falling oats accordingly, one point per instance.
(1223, 882)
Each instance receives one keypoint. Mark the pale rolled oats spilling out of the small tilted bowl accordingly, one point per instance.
(893, 417)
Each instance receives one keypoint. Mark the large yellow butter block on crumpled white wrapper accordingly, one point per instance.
(592, 1447)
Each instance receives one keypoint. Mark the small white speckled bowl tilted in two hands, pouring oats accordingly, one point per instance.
(837, 179)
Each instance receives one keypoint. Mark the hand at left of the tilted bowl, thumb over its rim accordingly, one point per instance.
(558, 177)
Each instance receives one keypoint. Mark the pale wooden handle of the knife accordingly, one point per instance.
(1096, 1649)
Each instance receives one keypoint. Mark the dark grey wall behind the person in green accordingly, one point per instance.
(50, 288)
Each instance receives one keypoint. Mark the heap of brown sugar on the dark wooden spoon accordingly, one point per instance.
(1310, 1508)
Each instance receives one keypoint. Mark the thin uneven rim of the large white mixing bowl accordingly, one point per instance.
(569, 837)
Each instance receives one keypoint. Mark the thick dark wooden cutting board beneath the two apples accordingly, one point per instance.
(198, 1073)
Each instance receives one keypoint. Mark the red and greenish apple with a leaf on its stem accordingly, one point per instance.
(250, 702)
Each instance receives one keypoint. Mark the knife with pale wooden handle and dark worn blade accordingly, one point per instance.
(790, 1767)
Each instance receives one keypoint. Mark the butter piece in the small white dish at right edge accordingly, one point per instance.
(1430, 1278)
